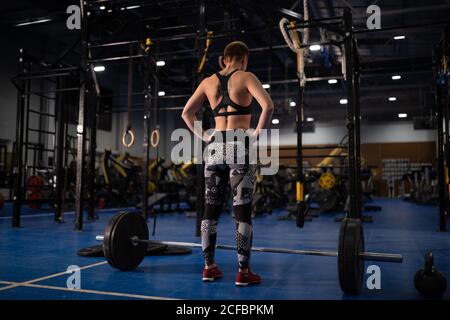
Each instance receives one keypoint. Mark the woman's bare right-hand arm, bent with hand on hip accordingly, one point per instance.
(255, 88)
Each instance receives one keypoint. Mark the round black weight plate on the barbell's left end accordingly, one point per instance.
(123, 254)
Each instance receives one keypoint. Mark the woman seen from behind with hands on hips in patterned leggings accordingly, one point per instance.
(229, 93)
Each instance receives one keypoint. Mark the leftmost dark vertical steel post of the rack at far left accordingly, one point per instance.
(18, 164)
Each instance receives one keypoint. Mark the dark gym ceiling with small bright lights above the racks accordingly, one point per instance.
(381, 56)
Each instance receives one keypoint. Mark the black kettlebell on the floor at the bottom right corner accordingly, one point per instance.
(429, 281)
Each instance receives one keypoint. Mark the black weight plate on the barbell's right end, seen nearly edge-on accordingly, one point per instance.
(350, 265)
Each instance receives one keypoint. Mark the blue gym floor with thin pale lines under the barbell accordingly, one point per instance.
(33, 259)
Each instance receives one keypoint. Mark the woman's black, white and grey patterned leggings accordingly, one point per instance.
(242, 180)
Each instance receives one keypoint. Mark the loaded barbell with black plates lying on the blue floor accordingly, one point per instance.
(126, 239)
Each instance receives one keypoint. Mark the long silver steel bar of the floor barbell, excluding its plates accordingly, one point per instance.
(369, 256)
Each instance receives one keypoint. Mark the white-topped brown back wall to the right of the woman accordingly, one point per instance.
(393, 140)
